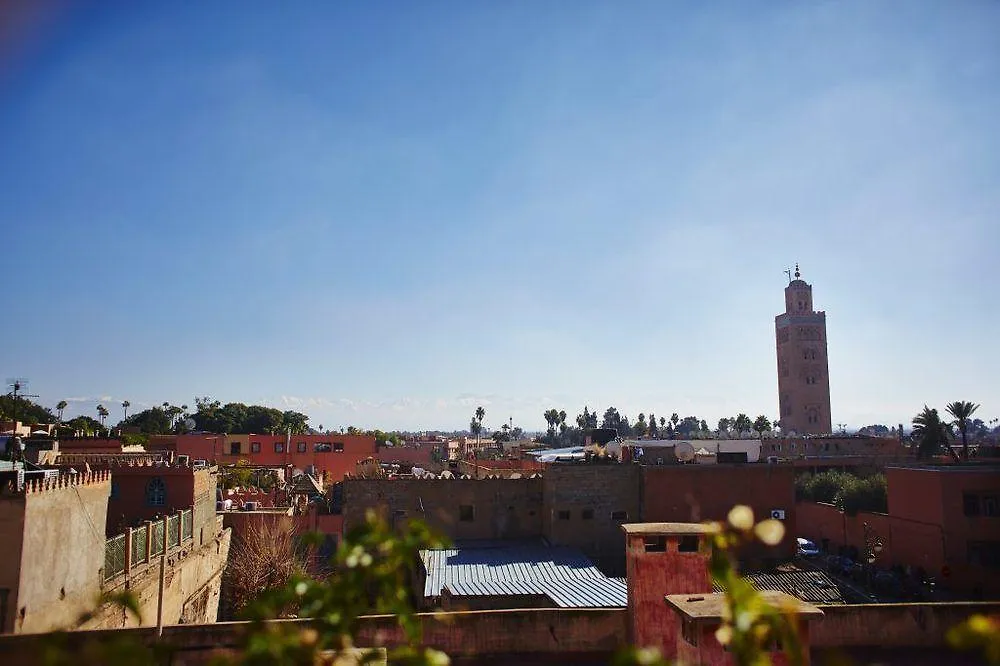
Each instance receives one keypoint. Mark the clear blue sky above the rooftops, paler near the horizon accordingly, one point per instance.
(387, 213)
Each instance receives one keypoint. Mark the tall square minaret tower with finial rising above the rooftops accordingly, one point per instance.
(803, 372)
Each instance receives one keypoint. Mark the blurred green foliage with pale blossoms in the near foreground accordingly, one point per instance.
(371, 570)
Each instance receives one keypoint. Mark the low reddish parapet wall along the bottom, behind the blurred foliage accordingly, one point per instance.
(562, 634)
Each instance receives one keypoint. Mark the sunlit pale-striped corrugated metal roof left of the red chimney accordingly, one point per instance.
(563, 574)
